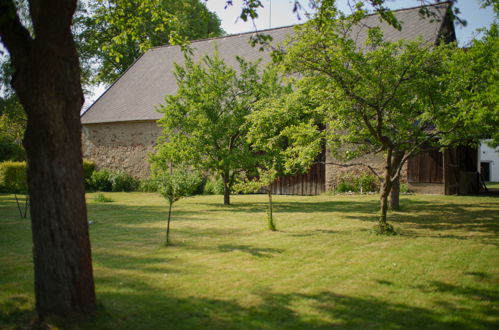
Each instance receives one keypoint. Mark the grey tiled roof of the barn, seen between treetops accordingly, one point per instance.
(137, 93)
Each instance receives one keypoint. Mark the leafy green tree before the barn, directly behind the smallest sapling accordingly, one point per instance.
(203, 124)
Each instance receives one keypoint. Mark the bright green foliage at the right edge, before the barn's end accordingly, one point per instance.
(473, 89)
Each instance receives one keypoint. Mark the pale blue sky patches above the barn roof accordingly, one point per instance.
(282, 15)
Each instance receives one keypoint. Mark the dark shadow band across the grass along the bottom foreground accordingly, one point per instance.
(144, 307)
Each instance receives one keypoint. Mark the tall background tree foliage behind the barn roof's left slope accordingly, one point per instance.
(115, 33)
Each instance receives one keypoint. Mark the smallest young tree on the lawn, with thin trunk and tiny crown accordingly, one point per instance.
(173, 184)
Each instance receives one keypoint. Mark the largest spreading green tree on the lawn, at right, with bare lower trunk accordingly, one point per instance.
(384, 98)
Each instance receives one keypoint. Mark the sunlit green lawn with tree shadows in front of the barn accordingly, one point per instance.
(324, 267)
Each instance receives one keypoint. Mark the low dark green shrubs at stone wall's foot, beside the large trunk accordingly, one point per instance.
(106, 180)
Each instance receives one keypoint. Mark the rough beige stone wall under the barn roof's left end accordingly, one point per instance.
(121, 145)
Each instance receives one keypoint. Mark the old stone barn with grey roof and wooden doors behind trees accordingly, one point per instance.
(119, 129)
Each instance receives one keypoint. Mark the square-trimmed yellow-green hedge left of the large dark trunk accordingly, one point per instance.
(13, 177)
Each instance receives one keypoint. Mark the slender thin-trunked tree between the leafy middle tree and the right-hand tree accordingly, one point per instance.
(285, 139)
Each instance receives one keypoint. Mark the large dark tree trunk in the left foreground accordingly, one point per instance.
(47, 82)
